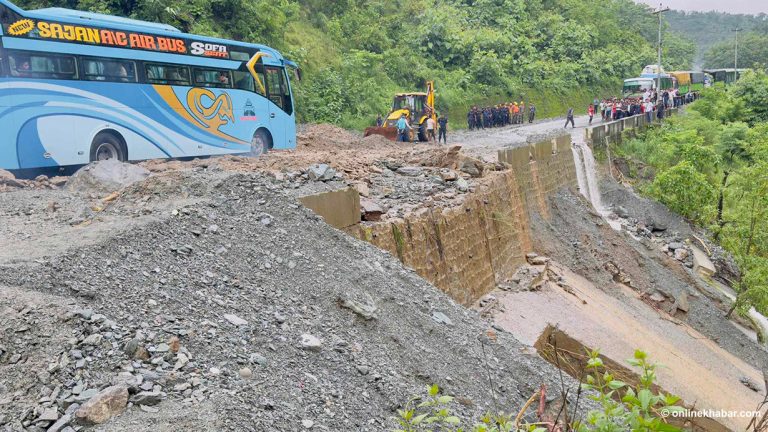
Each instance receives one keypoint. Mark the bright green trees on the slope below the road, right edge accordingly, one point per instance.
(711, 166)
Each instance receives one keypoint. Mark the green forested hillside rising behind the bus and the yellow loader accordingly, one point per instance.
(356, 54)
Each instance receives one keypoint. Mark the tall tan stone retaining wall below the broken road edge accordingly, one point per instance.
(468, 250)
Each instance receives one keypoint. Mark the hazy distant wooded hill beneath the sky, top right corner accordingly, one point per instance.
(714, 36)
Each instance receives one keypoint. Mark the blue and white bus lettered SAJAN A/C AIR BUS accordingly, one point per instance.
(76, 87)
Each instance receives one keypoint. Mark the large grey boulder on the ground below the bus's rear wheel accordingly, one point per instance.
(106, 176)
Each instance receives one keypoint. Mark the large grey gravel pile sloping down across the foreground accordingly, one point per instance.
(243, 311)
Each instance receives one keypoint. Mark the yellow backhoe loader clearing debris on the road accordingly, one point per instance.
(417, 107)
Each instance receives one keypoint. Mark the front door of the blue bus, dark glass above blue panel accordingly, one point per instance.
(281, 118)
